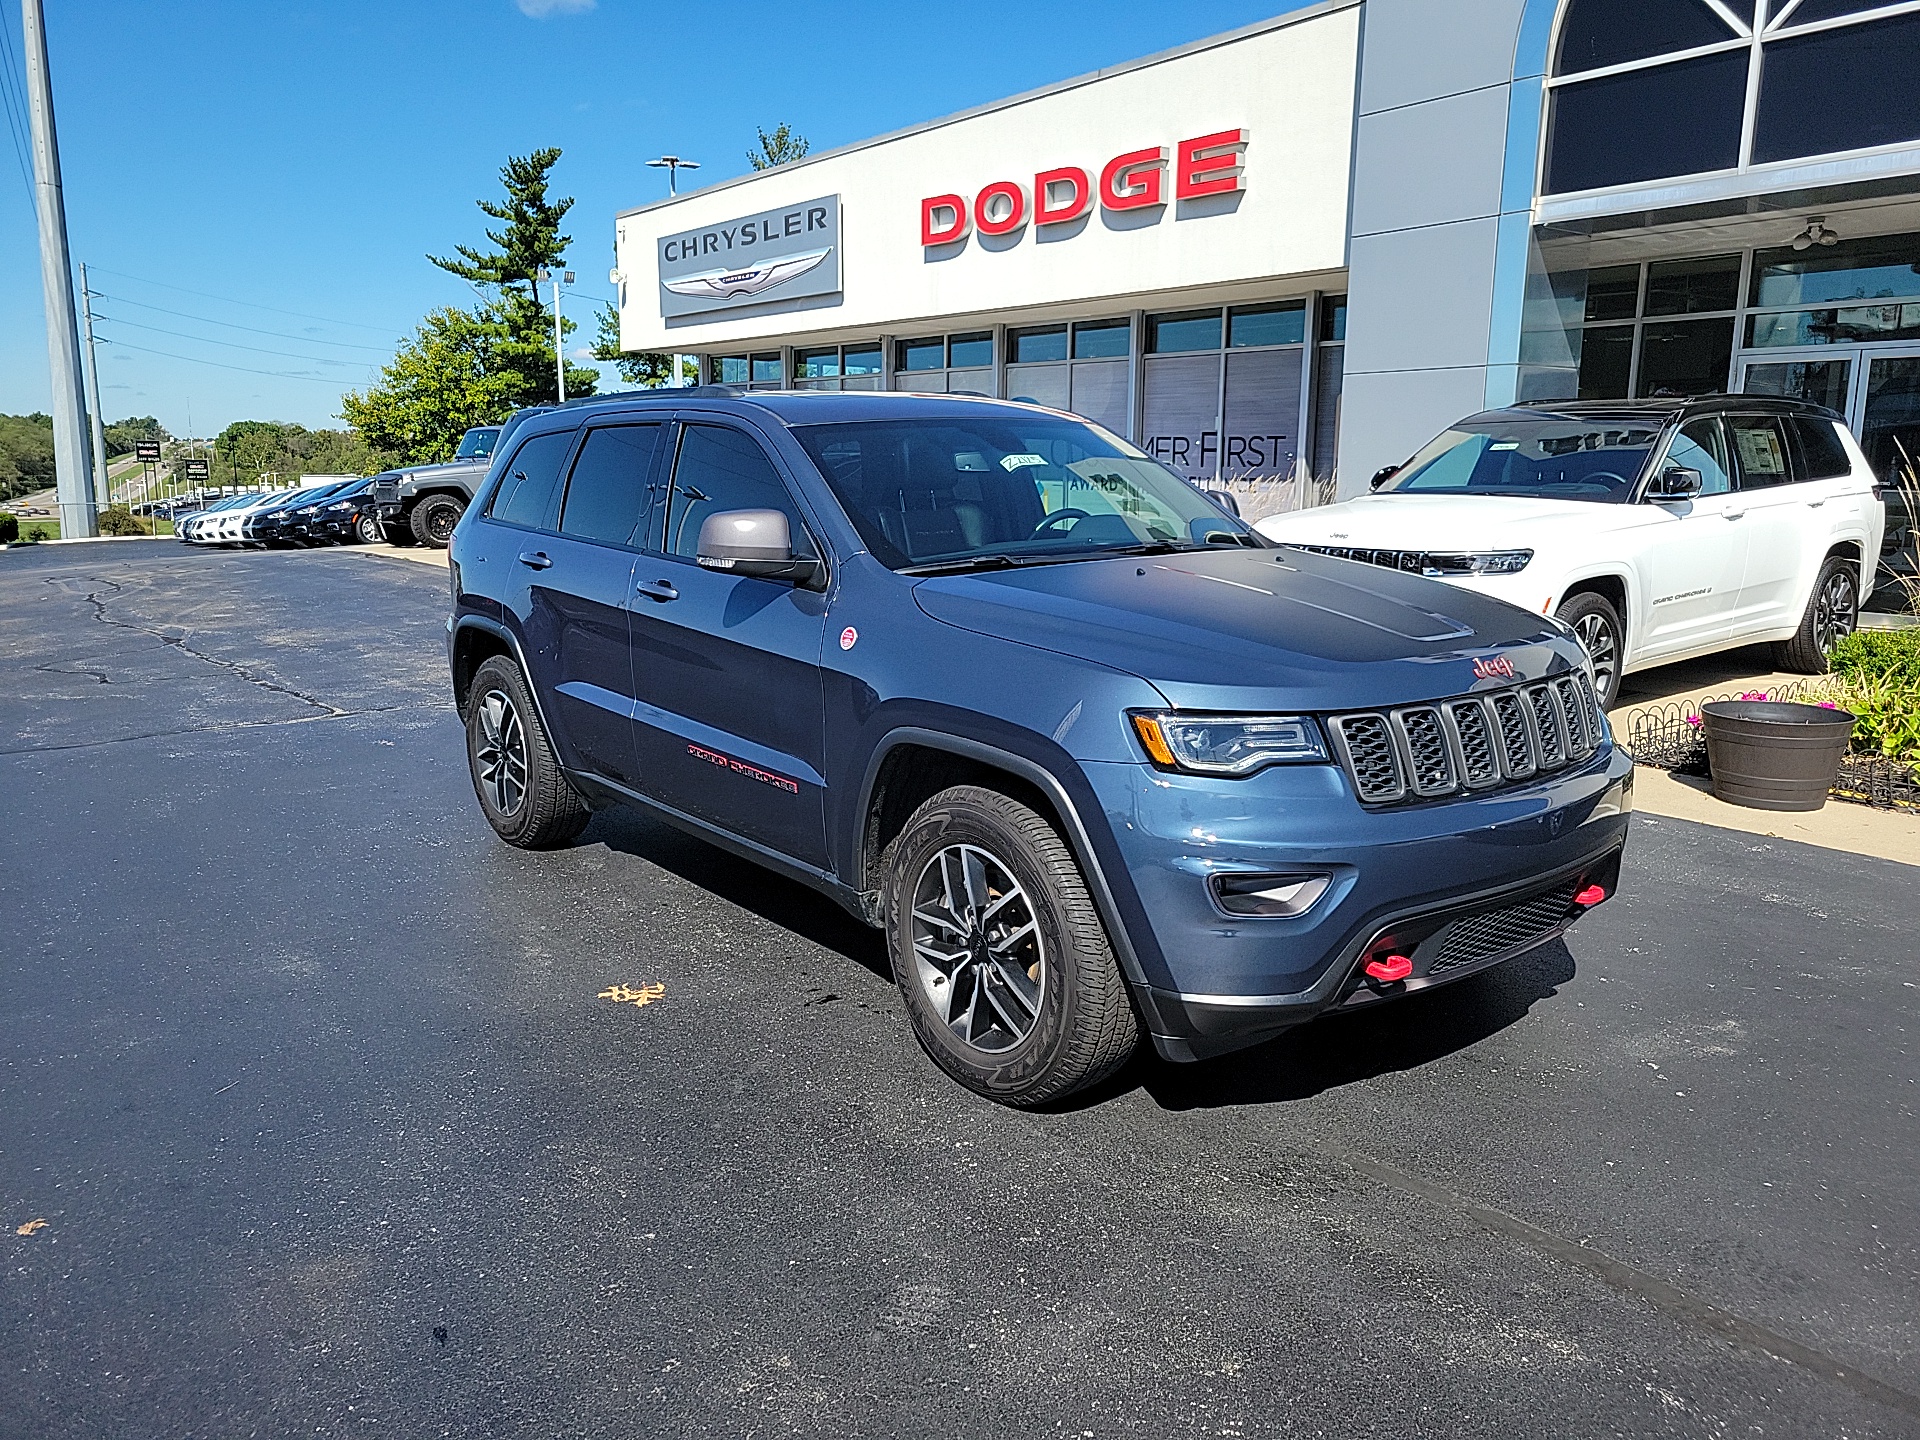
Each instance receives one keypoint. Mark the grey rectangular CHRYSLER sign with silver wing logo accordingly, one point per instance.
(779, 254)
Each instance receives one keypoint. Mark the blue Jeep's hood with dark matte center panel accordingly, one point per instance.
(1236, 629)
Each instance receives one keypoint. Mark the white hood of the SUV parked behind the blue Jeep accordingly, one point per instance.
(1445, 523)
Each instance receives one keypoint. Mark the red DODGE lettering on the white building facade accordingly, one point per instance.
(1136, 180)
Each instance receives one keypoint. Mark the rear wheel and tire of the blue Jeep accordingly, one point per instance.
(517, 780)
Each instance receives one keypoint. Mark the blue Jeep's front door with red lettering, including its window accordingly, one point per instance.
(727, 669)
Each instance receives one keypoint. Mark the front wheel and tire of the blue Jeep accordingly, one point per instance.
(1045, 1009)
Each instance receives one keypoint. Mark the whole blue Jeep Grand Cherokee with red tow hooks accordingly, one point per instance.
(1097, 757)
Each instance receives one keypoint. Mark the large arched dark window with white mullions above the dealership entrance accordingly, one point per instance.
(1660, 89)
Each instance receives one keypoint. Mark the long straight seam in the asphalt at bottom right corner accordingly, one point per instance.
(1627, 1280)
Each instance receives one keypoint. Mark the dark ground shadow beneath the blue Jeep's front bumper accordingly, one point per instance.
(1355, 1047)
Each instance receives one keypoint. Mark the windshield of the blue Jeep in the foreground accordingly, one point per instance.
(1005, 491)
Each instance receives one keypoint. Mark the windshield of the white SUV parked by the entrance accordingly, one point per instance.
(1552, 458)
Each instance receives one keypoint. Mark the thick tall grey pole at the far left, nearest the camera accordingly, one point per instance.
(74, 485)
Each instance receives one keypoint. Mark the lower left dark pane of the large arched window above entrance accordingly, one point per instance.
(1648, 124)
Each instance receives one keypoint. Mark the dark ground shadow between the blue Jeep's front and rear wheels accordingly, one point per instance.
(752, 888)
